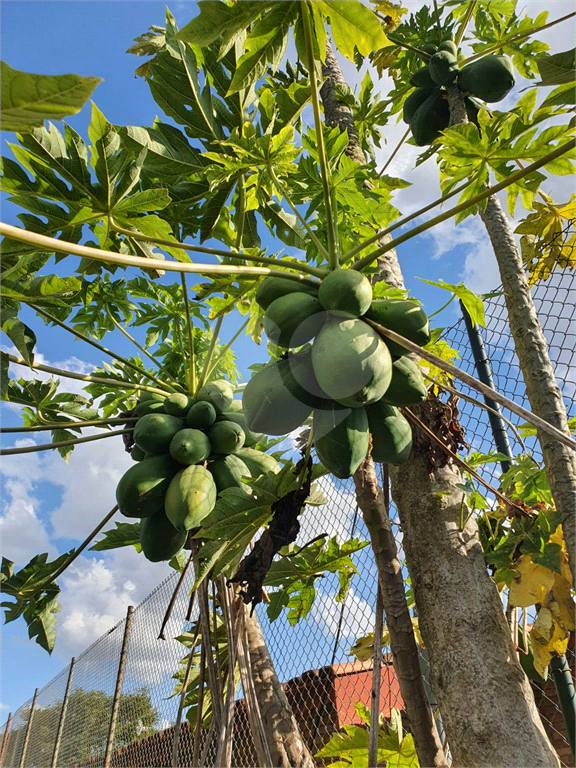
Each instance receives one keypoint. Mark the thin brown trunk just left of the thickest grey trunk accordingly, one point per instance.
(402, 643)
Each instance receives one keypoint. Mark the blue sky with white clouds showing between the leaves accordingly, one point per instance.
(49, 506)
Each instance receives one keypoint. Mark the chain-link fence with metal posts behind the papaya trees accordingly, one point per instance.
(68, 722)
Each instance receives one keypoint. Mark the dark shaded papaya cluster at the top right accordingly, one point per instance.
(426, 110)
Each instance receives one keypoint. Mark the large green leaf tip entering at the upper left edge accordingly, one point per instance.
(27, 100)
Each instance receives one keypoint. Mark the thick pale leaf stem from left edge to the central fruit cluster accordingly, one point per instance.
(98, 254)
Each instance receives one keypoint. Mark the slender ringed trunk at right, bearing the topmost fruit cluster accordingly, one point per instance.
(542, 390)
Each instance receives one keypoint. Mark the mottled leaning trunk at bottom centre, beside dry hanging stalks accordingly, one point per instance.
(285, 743)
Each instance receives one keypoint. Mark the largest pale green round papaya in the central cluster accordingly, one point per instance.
(351, 362)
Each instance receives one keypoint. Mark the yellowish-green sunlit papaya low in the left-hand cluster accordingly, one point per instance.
(190, 497)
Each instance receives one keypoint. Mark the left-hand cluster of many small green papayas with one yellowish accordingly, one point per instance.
(188, 450)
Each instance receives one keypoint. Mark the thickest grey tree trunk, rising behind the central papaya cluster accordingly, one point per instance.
(486, 702)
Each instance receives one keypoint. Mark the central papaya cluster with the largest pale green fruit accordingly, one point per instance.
(349, 377)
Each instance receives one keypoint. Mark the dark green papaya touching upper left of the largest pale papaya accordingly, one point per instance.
(292, 320)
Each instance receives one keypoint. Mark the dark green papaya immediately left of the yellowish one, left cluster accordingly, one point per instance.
(141, 490)
